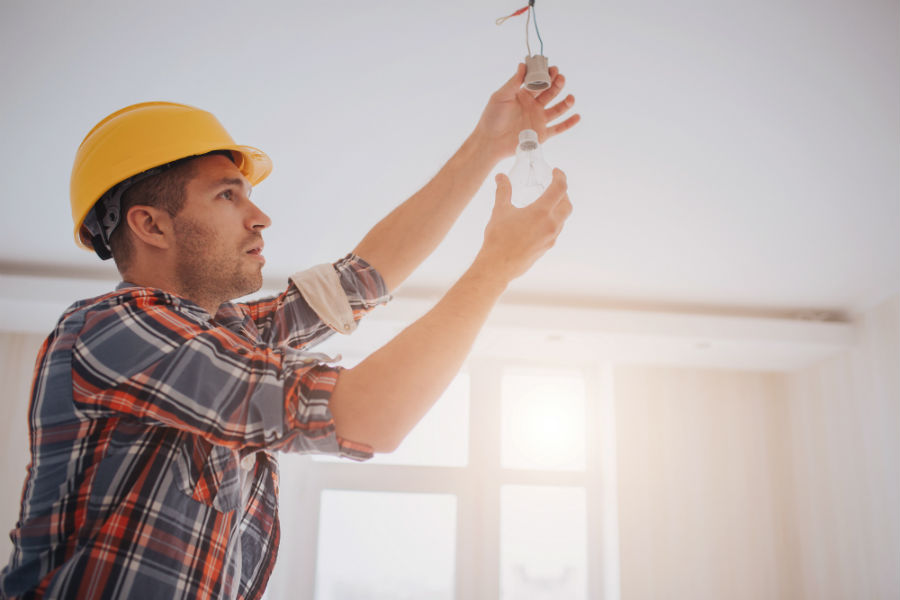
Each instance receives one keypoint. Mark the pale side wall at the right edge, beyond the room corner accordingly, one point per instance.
(844, 423)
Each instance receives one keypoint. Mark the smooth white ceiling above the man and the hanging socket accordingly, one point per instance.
(732, 156)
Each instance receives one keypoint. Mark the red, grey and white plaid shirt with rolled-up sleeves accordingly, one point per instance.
(153, 430)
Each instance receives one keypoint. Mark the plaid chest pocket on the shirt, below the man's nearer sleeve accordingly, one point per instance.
(208, 473)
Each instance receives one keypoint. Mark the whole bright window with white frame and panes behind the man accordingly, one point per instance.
(493, 495)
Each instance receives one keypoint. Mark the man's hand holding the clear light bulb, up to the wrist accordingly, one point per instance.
(516, 237)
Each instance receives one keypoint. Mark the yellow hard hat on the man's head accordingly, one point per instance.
(147, 135)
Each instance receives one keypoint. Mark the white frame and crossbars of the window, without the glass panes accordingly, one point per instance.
(476, 486)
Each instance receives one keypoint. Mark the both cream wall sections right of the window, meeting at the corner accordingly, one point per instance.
(764, 485)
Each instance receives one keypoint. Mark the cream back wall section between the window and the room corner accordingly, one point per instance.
(701, 498)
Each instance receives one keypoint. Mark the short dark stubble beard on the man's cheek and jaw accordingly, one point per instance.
(207, 271)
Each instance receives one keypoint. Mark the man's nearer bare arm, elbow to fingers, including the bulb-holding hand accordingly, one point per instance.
(379, 401)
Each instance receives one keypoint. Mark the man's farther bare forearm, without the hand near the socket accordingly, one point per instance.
(399, 243)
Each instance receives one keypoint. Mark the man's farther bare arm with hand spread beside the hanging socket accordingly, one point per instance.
(399, 243)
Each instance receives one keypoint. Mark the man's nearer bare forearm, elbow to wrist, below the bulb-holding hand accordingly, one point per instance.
(381, 399)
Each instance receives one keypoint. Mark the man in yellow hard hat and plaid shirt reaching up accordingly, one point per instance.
(156, 409)
